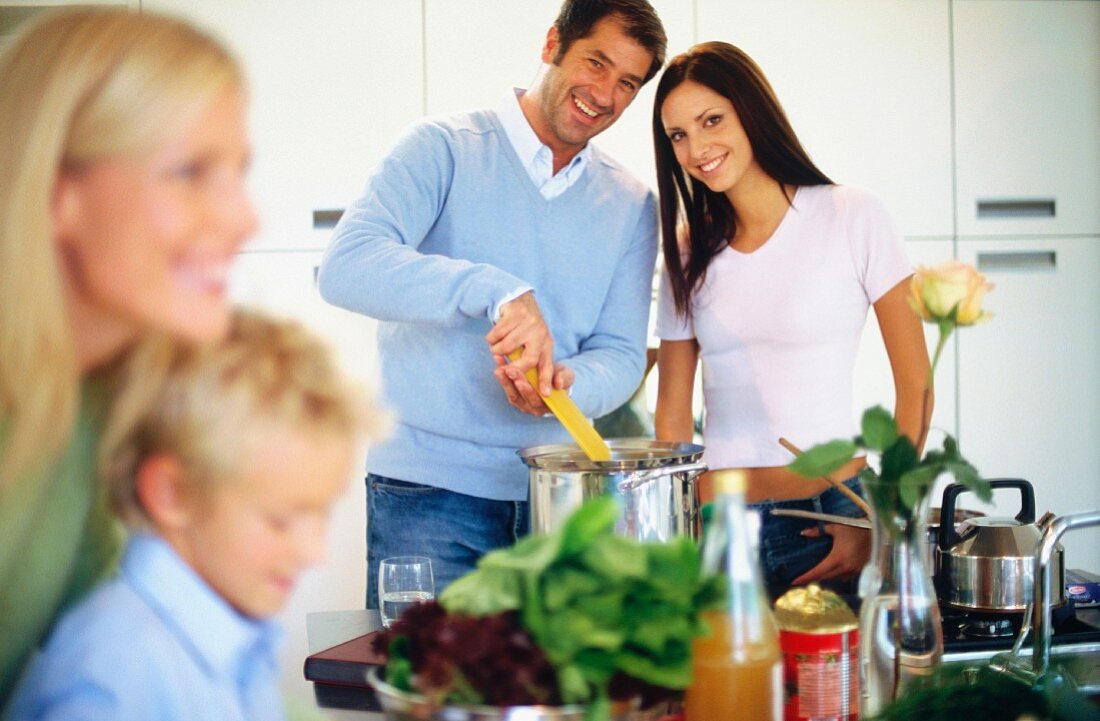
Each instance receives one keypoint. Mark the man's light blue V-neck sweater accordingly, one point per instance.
(448, 227)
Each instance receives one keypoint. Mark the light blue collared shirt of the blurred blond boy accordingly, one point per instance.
(157, 642)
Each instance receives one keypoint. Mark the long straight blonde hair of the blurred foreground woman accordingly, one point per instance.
(79, 85)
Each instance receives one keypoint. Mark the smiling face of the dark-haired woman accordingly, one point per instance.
(708, 137)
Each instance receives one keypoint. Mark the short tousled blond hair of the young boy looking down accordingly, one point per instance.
(211, 406)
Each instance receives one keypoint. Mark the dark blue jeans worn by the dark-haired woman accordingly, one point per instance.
(785, 553)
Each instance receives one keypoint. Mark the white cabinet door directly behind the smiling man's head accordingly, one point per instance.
(459, 80)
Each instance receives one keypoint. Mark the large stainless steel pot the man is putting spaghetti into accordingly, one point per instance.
(655, 483)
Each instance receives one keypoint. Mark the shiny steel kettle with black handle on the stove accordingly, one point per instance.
(989, 563)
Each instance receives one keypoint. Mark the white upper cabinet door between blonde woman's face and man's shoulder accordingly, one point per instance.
(333, 85)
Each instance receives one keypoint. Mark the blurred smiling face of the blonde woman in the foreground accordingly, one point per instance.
(147, 242)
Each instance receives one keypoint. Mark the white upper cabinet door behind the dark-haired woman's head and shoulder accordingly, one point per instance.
(867, 88)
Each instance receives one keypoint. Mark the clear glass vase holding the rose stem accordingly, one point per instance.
(901, 636)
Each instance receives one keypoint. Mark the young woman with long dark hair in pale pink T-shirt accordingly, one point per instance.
(769, 272)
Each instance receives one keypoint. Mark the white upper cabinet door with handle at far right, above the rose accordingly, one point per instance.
(1028, 108)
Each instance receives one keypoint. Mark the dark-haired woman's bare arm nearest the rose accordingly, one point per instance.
(909, 362)
